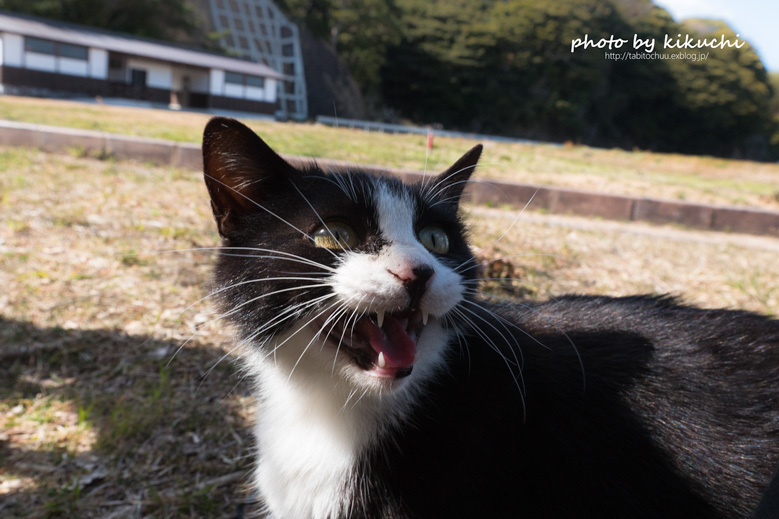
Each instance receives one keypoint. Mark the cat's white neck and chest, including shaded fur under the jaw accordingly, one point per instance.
(312, 428)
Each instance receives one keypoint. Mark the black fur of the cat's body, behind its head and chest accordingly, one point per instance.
(662, 411)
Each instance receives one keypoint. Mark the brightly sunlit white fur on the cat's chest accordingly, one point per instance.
(307, 448)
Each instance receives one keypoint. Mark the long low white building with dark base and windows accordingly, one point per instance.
(44, 57)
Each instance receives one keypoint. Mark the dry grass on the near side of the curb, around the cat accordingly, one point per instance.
(110, 407)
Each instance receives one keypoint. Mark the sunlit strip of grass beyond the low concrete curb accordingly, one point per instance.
(699, 179)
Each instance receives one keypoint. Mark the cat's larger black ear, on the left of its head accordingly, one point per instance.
(238, 166)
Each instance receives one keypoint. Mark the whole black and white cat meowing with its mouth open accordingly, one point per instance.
(388, 389)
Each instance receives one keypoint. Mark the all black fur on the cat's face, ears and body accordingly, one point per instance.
(635, 407)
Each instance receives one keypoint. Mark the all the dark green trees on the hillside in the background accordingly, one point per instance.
(507, 67)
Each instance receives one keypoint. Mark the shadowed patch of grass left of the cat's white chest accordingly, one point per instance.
(103, 424)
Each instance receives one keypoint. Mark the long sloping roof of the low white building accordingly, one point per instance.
(116, 42)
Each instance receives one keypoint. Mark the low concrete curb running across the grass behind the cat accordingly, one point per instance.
(552, 199)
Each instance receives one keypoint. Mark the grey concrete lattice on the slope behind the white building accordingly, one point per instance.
(259, 31)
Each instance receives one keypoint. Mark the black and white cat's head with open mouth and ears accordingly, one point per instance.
(336, 274)
